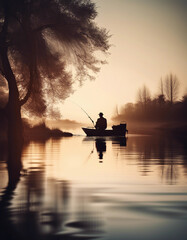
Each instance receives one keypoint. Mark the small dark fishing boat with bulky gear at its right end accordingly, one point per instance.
(117, 130)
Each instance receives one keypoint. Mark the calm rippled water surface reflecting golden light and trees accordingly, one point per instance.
(97, 188)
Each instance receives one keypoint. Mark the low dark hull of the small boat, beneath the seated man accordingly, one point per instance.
(107, 132)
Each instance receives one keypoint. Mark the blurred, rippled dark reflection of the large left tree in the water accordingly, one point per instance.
(42, 207)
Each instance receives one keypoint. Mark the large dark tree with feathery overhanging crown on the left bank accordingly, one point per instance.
(45, 45)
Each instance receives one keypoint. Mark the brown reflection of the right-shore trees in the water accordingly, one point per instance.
(158, 150)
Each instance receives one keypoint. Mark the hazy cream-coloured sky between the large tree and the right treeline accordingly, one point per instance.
(149, 41)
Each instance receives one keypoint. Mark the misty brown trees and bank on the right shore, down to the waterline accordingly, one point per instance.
(162, 113)
